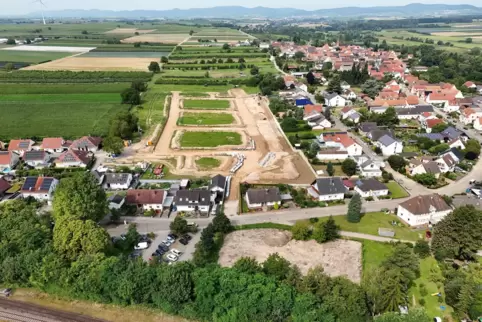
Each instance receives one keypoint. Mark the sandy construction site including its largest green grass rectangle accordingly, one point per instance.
(252, 149)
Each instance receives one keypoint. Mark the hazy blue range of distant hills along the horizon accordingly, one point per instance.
(411, 10)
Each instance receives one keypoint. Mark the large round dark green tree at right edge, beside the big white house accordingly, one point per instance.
(458, 235)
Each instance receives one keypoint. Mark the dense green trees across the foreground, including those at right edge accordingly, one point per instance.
(68, 254)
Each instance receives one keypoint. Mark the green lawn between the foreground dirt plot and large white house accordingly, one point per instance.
(370, 222)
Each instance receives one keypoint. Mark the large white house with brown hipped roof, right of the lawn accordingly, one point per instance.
(423, 210)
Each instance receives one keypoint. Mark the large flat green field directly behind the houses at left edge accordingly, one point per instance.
(66, 110)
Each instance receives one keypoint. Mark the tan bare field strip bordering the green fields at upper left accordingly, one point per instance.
(95, 63)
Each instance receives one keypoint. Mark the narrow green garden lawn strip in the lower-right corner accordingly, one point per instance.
(429, 271)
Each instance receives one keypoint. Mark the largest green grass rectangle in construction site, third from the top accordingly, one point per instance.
(209, 139)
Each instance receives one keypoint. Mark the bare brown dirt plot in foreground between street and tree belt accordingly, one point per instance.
(338, 258)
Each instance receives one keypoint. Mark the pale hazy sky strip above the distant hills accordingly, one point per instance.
(26, 6)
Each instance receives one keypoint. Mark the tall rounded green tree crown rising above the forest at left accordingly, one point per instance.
(80, 197)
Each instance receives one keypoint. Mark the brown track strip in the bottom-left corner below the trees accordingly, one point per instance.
(11, 310)
